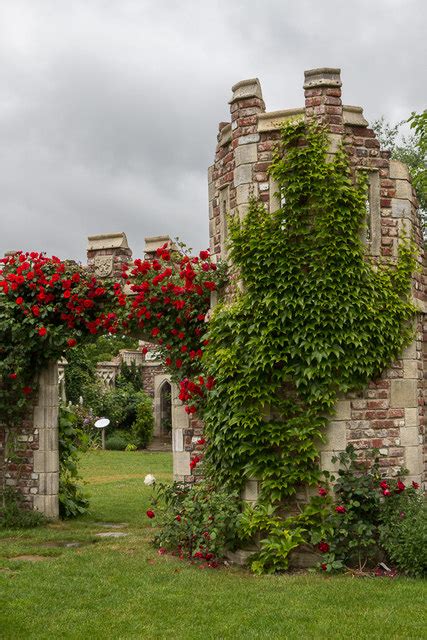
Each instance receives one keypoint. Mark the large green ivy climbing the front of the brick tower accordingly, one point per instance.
(315, 319)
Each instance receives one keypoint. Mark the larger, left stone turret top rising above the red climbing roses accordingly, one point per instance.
(106, 254)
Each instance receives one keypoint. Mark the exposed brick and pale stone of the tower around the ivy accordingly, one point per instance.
(389, 415)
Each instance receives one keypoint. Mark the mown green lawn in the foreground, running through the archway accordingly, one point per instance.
(121, 588)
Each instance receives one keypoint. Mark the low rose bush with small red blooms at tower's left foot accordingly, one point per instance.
(196, 521)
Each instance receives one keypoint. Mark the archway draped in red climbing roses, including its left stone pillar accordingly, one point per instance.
(48, 306)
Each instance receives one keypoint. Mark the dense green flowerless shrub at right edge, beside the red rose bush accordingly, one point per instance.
(403, 531)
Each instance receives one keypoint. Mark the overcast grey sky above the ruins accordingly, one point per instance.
(109, 108)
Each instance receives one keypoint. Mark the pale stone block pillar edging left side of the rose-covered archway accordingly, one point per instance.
(46, 457)
